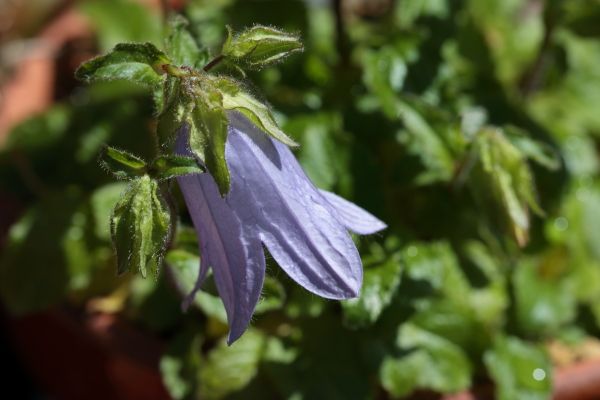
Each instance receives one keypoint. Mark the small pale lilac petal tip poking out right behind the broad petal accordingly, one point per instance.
(352, 216)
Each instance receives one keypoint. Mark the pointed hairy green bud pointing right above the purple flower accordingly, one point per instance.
(260, 46)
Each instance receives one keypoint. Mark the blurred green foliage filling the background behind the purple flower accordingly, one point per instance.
(470, 127)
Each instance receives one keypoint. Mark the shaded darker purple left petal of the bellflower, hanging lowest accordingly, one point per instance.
(233, 251)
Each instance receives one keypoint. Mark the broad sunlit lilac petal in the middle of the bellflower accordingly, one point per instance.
(294, 220)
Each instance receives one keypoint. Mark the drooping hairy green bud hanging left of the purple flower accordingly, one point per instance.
(140, 225)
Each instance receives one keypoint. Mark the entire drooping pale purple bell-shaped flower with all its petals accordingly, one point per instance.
(271, 202)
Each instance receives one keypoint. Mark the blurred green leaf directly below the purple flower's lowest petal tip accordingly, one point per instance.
(228, 369)
